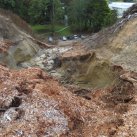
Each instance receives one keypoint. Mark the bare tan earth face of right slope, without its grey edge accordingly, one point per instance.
(126, 46)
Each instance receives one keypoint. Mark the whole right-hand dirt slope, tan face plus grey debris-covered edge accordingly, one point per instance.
(118, 43)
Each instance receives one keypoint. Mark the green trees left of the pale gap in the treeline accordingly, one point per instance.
(34, 11)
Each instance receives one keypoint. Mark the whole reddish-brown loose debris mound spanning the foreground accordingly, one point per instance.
(34, 104)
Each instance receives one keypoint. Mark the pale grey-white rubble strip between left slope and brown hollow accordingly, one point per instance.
(45, 58)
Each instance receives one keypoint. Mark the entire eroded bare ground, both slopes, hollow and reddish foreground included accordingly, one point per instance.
(92, 91)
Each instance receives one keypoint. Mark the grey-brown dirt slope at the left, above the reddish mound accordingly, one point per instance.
(15, 44)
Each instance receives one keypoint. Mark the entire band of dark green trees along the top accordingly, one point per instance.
(84, 15)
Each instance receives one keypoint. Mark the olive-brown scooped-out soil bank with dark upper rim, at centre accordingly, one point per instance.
(88, 71)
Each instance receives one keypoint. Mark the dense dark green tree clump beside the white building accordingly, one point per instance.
(90, 15)
